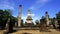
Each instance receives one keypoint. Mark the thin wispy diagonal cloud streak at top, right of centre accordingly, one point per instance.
(38, 4)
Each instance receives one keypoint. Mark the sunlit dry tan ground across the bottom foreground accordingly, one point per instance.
(53, 31)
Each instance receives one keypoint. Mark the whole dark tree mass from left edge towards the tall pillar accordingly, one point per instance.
(4, 15)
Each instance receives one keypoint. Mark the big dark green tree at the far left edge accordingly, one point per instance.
(4, 15)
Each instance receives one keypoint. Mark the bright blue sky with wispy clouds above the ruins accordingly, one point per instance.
(37, 7)
